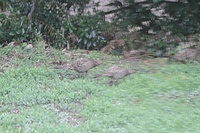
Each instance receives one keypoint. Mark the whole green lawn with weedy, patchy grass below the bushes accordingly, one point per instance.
(35, 99)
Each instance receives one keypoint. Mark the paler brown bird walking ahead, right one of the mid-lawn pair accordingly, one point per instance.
(116, 72)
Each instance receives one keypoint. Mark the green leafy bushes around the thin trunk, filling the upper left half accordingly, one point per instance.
(50, 20)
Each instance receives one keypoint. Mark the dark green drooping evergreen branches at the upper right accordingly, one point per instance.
(175, 16)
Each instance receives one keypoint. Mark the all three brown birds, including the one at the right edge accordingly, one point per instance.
(83, 65)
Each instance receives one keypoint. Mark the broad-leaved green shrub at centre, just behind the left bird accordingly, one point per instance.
(89, 32)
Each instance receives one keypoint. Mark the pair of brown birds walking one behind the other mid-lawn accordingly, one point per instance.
(84, 65)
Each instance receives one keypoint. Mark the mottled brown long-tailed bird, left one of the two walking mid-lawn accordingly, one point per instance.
(81, 65)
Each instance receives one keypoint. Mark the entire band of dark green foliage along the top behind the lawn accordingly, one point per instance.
(51, 20)
